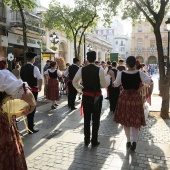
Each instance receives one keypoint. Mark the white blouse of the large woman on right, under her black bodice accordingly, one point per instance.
(144, 77)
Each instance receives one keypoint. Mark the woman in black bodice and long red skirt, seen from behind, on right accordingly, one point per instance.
(129, 111)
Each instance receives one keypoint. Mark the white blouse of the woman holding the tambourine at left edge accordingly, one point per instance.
(10, 84)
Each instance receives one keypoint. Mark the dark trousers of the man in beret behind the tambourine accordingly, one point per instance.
(30, 116)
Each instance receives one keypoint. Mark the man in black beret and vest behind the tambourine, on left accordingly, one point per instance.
(31, 74)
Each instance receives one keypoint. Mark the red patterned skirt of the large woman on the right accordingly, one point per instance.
(129, 111)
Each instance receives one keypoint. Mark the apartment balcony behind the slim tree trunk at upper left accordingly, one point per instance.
(33, 23)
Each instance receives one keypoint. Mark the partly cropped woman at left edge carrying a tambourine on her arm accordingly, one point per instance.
(11, 150)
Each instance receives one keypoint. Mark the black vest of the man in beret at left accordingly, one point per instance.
(27, 75)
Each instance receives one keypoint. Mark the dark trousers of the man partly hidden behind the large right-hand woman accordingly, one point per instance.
(114, 93)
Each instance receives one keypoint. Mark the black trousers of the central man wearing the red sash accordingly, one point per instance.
(92, 109)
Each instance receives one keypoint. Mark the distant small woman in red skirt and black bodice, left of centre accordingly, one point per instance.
(52, 76)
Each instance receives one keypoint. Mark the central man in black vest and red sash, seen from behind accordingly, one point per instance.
(93, 78)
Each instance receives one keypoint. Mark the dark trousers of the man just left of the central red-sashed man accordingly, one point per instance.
(72, 92)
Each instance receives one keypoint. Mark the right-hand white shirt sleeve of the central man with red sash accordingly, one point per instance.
(104, 79)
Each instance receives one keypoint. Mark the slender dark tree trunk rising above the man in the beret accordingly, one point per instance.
(24, 28)
